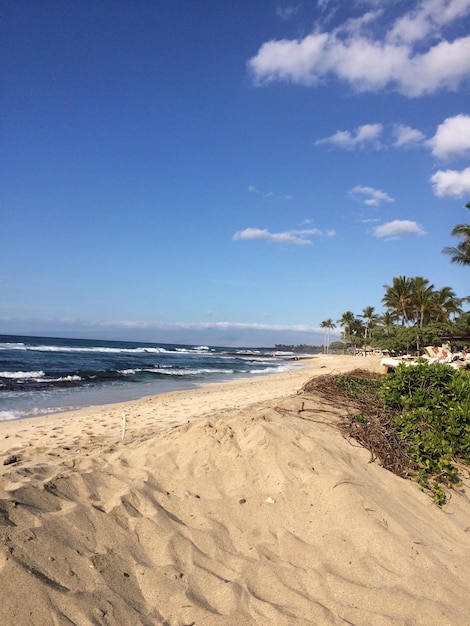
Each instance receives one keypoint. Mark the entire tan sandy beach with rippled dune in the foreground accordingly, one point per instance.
(224, 505)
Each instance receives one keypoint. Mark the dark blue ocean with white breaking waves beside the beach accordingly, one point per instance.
(40, 375)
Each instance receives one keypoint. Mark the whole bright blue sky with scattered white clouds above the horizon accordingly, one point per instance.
(230, 173)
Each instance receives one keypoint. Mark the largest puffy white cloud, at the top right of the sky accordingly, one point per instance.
(406, 59)
